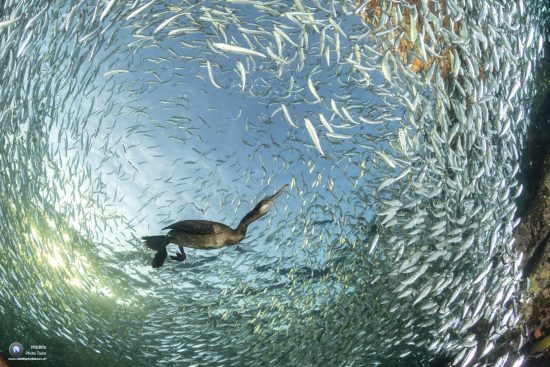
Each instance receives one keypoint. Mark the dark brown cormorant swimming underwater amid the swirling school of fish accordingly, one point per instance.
(204, 234)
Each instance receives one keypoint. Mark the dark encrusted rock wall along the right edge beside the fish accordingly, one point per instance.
(533, 235)
